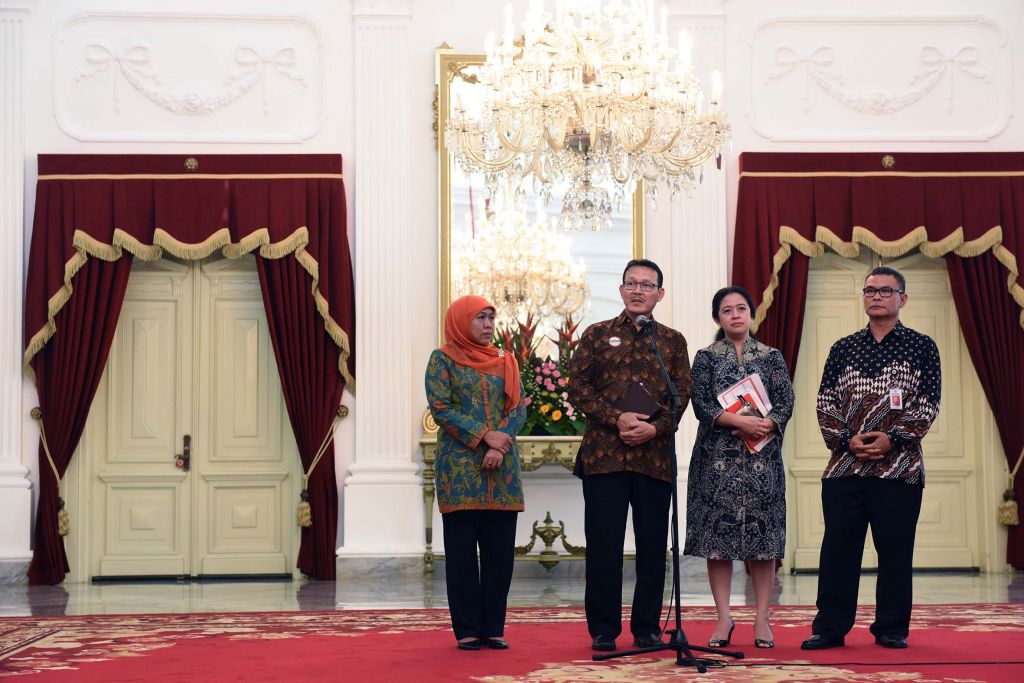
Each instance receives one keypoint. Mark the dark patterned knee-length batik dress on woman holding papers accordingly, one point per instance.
(736, 501)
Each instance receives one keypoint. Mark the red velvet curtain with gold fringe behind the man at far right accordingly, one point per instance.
(966, 207)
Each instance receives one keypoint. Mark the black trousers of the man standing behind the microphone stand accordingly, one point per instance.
(607, 500)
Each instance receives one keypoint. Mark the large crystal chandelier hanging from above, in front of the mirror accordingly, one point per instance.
(593, 94)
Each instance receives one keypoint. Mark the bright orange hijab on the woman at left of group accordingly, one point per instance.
(488, 359)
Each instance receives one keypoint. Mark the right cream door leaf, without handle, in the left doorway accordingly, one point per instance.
(247, 490)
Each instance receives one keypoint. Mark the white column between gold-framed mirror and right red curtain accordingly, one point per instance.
(700, 224)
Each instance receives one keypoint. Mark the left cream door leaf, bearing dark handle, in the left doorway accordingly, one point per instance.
(144, 502)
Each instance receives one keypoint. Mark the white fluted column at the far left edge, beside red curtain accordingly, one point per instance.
(16, 494)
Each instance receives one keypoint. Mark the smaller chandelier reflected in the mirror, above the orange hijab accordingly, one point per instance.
(522, 267)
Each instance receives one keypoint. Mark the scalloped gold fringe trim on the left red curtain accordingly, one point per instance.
(87, 246)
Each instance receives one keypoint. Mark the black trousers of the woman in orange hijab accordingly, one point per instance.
(479, 592)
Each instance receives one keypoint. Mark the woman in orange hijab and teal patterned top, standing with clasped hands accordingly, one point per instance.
(474, 394)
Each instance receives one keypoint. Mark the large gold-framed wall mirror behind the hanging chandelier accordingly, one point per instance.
(472, 224)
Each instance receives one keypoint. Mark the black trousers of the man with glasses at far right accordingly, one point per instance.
(850, 505)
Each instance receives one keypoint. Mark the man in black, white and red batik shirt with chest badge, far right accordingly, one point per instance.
(880, 394)
